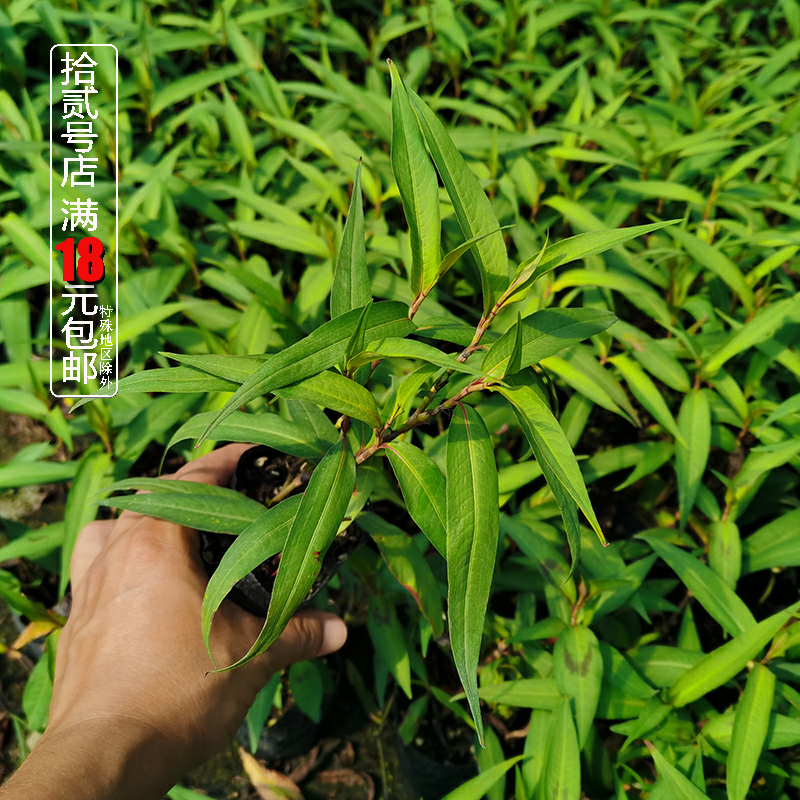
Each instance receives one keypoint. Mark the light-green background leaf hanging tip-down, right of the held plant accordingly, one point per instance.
(694, 423)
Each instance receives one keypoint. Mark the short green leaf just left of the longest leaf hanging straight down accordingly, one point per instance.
(423, 488)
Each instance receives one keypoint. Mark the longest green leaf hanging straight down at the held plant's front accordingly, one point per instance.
(472, 534)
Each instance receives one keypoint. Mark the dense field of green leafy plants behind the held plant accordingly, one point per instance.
(240, 129)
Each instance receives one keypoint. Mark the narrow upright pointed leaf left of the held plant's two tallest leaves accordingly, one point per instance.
(351, 287)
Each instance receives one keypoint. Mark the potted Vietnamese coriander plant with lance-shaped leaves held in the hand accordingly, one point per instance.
(372, 449)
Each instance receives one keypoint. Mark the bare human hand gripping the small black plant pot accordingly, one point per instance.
(131, 659)
